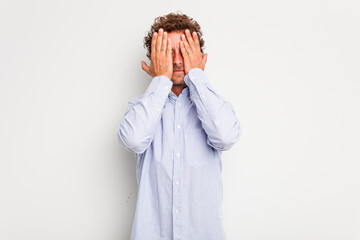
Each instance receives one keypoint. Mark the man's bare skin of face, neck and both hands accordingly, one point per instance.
(177, 50)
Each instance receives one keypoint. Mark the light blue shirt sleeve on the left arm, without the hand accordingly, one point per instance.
(136, 131)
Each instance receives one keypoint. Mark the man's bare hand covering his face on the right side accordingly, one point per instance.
(191, 51)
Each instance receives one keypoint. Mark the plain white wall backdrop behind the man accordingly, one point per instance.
(290, 69)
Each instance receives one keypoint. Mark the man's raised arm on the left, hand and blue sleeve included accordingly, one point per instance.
(138, 127)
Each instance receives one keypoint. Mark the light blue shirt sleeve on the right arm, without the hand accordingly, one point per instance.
(217, 115)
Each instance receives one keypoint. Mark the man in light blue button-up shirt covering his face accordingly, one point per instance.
(178, 129)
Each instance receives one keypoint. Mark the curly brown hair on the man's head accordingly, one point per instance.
(173, 22)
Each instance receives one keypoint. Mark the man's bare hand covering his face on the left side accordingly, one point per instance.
(161, 59)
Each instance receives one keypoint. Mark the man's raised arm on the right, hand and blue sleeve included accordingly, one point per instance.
(217, 115)
